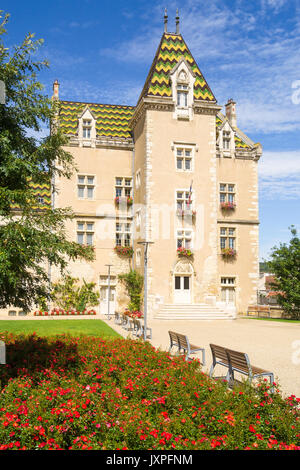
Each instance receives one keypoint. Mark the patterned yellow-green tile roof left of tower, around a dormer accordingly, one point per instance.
(111, 120)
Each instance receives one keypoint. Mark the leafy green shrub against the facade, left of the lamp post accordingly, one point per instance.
(67, 294)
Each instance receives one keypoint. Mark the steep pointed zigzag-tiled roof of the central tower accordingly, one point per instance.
(171, 50)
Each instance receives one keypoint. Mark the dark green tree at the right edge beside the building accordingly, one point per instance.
(285, 265)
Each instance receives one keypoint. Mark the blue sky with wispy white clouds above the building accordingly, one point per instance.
(101, 51)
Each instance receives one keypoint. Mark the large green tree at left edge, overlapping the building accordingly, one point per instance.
(30, 239)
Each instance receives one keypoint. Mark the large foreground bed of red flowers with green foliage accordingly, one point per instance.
(89, 393)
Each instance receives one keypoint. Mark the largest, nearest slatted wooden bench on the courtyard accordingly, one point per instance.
(236, 361)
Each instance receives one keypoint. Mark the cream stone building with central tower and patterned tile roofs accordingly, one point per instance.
(172, 170)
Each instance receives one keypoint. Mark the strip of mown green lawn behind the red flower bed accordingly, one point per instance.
(54, 327)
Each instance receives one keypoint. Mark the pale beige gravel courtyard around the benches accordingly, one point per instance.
(269, 345)
